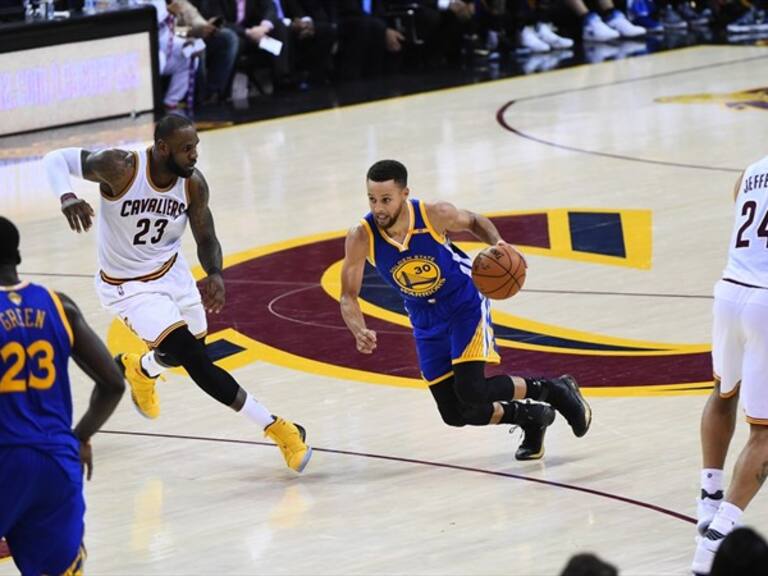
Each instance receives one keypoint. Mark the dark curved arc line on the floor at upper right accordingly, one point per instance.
(504, 124)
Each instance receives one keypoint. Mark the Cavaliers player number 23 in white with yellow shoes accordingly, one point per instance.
(147, 198)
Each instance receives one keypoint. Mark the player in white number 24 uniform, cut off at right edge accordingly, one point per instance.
(740, 362)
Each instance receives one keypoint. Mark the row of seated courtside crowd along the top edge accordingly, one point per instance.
(296, 44)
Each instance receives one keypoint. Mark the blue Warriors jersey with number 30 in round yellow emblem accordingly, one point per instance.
(426, 268)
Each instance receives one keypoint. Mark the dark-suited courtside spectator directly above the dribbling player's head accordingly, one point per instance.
(364, 38)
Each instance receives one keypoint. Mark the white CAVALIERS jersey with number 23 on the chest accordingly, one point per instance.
(140, 230)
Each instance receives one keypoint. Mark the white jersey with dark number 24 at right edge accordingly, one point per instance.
(748, 255)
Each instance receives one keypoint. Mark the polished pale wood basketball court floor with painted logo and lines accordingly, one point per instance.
(391, 490)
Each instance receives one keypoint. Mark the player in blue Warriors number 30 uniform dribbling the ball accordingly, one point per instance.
(405, 239)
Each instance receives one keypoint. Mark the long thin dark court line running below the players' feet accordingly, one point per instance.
(599, 493)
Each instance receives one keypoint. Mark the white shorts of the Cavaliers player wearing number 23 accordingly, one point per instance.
(153, 309)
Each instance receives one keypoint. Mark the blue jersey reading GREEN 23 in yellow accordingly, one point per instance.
(35, 345)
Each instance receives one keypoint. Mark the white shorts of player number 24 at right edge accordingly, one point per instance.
(740, 346)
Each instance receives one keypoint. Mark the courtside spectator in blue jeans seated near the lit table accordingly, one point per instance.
(222, 47)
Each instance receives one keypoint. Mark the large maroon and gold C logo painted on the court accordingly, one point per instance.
(283, 308)
